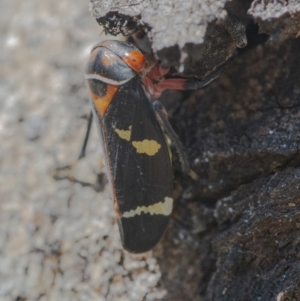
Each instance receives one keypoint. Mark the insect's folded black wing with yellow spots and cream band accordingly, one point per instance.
(139, 164)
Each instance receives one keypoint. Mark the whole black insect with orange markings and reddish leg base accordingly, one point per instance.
(124, 86)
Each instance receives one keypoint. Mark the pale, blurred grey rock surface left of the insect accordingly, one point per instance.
(58, 239)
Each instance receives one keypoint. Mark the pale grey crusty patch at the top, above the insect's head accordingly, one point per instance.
(171, 22)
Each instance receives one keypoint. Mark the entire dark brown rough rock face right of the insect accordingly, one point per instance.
(236, 230)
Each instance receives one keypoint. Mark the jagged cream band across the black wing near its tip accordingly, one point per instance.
(160, 208)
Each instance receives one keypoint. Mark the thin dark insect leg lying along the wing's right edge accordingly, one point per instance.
(161, 115)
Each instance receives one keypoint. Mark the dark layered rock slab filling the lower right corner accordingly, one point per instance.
(258, 256)
